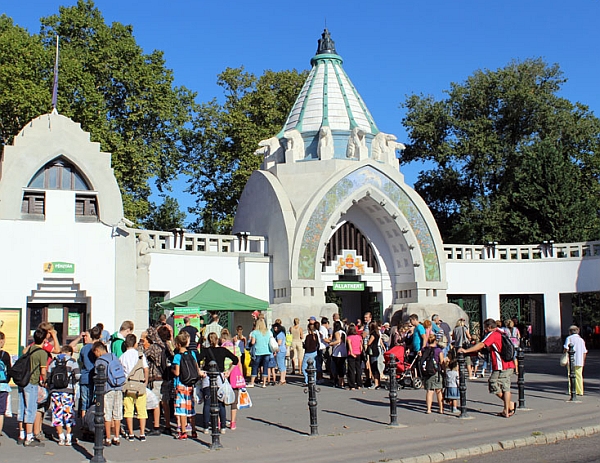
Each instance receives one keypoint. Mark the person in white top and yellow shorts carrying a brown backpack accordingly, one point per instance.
(135, 367)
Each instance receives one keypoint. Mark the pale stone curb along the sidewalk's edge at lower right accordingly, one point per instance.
(540, 439)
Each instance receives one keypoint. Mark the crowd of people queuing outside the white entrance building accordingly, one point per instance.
(164, 374)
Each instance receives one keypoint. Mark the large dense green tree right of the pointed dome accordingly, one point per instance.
(514, 162)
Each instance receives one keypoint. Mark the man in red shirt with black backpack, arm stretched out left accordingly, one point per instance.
(499, 382)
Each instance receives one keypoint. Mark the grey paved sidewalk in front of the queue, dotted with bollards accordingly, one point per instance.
(353, 424)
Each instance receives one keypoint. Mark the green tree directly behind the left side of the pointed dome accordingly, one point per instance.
(221, 145)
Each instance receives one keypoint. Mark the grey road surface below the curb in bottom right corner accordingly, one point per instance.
(582, 450)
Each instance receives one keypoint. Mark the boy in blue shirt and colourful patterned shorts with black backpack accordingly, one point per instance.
(186, 373)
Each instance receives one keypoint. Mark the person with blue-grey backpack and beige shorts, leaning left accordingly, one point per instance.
(113, 399)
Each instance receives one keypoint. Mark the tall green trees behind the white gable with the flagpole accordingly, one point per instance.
(124, 97)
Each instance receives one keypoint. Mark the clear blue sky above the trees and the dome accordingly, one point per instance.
(390, 48)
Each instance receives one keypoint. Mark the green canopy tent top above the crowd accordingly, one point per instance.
(215, 297)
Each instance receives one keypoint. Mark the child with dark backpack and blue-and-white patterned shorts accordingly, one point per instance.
(63, 373)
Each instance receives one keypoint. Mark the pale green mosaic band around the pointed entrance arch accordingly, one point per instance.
(366, 175)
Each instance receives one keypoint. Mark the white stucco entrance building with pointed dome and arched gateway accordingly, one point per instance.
(327, 217)
